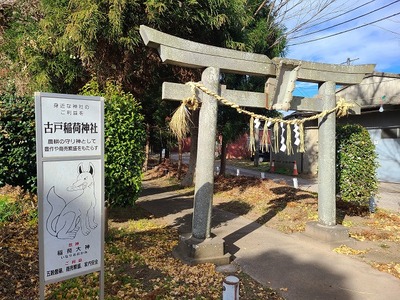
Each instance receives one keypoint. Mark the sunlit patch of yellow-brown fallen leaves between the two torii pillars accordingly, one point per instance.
(267, 202)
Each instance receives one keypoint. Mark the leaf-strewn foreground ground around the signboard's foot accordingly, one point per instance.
(138, 265)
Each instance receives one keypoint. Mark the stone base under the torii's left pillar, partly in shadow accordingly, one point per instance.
(193, 251)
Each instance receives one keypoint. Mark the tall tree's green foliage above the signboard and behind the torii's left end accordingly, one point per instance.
(58, 45)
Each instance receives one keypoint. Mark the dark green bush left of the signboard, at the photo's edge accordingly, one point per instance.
(17, 142)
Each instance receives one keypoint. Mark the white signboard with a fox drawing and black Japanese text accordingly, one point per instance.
(70, 159)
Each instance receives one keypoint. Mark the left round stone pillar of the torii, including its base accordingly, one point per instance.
(200, 246)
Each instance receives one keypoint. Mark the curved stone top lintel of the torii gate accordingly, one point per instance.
(181, 52)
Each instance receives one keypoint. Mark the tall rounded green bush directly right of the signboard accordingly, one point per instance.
(124, 143)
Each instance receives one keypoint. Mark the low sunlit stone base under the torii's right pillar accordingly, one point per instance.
(331, 234)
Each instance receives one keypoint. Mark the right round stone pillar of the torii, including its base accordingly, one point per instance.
(326, 228)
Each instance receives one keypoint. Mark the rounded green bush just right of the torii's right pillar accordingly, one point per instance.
(356, 164)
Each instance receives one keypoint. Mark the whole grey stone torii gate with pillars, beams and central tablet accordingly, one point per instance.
(199, 245)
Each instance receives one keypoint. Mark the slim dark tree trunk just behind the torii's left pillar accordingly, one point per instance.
(188, 180)
